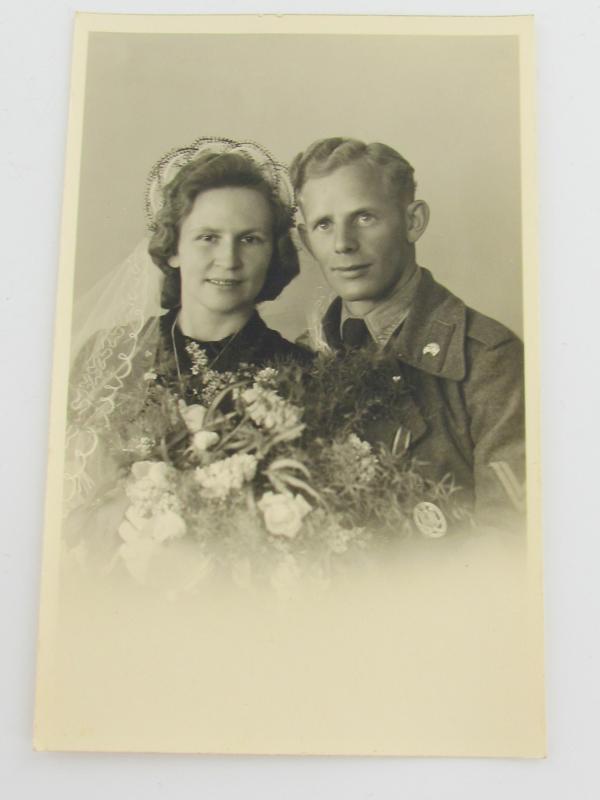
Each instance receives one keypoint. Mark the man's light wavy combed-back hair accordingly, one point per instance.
(326, 155)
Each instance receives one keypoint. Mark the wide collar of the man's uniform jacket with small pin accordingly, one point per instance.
(432, 337)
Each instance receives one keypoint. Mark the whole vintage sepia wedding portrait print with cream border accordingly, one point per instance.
(293, 491)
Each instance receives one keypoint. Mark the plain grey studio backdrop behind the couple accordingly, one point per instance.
(450, 105)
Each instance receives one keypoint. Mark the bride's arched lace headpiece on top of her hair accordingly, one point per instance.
(163, 172)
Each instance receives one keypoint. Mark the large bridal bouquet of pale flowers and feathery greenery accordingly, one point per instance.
(266, 472)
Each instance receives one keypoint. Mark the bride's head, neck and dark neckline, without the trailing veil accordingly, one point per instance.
(222, 241)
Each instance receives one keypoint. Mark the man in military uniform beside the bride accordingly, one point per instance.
(463, 413)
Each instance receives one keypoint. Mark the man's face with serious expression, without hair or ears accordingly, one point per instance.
(357, 232)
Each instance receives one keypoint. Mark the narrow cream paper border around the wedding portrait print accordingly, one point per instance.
(523, 27)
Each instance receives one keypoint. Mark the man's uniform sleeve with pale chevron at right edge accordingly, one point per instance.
(494, 395)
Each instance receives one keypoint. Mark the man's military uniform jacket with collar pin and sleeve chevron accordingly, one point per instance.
(463, 414)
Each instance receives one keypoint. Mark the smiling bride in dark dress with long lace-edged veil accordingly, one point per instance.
(220, 213)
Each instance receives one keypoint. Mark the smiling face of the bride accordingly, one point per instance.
(224, 250)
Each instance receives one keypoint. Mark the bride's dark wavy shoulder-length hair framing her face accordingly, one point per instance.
(216, 171)
